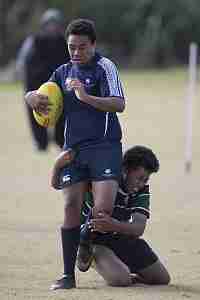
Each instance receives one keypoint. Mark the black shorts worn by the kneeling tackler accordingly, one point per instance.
(135, 253)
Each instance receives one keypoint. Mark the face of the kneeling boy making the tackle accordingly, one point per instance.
(136, 179)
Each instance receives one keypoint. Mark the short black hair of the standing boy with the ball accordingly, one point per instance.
(81, 27)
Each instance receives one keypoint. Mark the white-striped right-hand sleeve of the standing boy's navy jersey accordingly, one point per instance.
(110, 83)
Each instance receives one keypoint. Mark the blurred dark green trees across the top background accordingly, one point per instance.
(141, 33)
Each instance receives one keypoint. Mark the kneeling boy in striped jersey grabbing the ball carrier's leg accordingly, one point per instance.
(120, 256)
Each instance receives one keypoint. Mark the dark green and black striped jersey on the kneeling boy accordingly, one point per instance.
(125, 204)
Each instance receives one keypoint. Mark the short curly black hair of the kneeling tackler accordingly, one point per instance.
(140, 156)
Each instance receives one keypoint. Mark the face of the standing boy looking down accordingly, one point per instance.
(80, 48)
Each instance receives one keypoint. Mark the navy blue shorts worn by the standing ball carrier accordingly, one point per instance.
(97, 162)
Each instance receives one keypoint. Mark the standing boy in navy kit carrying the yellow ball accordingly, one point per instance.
(92, 94)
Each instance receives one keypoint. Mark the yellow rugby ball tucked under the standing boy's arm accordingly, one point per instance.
(54, 93)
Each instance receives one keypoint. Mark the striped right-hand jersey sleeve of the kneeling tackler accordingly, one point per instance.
(142, 202)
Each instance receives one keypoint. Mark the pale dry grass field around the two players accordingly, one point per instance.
(31, 212)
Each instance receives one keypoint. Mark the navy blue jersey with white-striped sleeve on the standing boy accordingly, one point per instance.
(84, 124)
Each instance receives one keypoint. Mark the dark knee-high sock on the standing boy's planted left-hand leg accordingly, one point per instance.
(70, 243)
